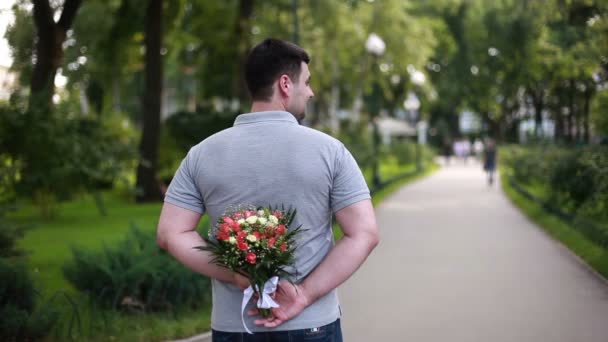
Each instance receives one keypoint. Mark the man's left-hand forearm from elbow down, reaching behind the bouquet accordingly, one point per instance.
(181, 246)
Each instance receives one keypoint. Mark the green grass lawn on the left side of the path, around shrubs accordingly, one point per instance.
(78, 223)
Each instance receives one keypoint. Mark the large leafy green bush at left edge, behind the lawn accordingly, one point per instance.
(59, 154)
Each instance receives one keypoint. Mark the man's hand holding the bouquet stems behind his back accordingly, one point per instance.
(292, 300)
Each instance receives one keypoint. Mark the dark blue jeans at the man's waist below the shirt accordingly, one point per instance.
(327, 333)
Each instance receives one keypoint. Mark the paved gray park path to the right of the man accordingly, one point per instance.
(458, 262)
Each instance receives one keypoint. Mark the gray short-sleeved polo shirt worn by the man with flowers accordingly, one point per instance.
(266, 158)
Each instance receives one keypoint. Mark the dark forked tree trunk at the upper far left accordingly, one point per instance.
(49, 51)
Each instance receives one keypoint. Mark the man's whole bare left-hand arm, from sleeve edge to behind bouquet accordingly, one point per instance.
(177, 235)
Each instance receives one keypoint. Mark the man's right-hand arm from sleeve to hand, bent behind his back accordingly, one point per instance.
(358, 222)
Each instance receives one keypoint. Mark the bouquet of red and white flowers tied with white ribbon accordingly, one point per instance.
(257, 243)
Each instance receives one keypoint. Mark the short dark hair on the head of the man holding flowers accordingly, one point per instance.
(267, 61)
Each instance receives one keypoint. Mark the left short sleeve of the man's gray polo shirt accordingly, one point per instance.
(183, 191)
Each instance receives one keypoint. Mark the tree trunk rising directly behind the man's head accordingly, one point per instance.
(242, 29)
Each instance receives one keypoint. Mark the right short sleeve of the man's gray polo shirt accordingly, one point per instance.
(348, 185)
